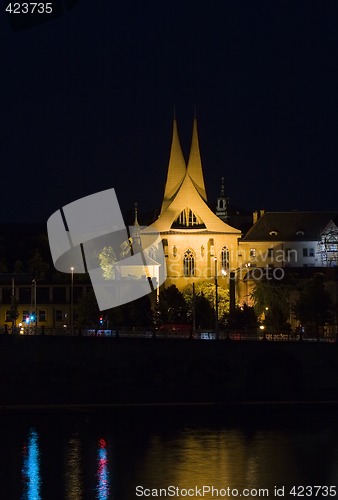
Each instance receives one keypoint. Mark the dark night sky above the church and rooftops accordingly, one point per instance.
(87, 103)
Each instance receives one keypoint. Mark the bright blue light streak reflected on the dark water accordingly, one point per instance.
(31, 468)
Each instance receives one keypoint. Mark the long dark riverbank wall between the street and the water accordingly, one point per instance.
(88, 370)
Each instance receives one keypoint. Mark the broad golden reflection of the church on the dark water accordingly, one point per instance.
(219, 457)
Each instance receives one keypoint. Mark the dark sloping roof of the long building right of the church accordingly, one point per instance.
(289, 226)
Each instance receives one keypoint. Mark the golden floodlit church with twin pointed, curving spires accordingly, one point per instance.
(198, 245)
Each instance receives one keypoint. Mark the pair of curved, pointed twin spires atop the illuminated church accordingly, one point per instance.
(178, 170)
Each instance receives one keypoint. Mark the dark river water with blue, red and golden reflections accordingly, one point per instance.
(124, 454)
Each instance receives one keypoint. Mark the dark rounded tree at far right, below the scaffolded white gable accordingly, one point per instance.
(313, 304)
